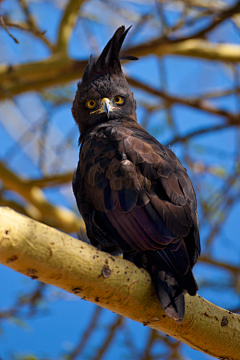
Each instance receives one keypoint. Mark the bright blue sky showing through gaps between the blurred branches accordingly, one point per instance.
(63, 317)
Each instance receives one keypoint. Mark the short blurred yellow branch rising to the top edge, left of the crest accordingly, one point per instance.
(67, 24)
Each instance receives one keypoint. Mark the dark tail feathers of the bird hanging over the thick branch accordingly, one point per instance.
(170, 285)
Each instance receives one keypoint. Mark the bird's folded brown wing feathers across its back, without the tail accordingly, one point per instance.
(142, 190)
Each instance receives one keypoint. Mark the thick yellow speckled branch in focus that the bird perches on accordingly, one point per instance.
(48, 255)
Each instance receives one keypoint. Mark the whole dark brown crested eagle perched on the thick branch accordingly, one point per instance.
(133, 193)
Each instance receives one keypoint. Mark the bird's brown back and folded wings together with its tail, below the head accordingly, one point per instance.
(145, 201)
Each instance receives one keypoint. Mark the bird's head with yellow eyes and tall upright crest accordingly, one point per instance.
(103, 93)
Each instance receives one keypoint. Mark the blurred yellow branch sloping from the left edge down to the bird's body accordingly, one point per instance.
(59, 217)
